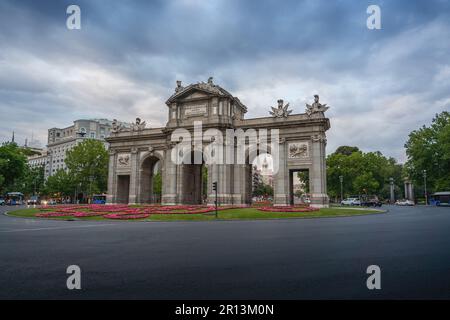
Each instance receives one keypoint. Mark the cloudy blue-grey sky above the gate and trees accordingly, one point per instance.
(124, 62)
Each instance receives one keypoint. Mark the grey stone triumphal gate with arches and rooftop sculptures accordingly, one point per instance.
(136, 151)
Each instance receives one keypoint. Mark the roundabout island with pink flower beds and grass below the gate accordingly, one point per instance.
(183, 212)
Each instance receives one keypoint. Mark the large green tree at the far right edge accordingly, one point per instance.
(428, 148)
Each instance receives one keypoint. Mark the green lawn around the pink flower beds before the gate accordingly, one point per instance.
(229, 214)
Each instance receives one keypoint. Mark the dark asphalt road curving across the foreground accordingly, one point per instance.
(272, 259)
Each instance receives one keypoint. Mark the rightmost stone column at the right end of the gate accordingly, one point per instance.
(317, 174)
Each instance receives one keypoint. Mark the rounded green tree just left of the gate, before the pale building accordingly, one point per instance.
(88, 165)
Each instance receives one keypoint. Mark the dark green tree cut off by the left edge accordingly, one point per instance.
(12, 164)
